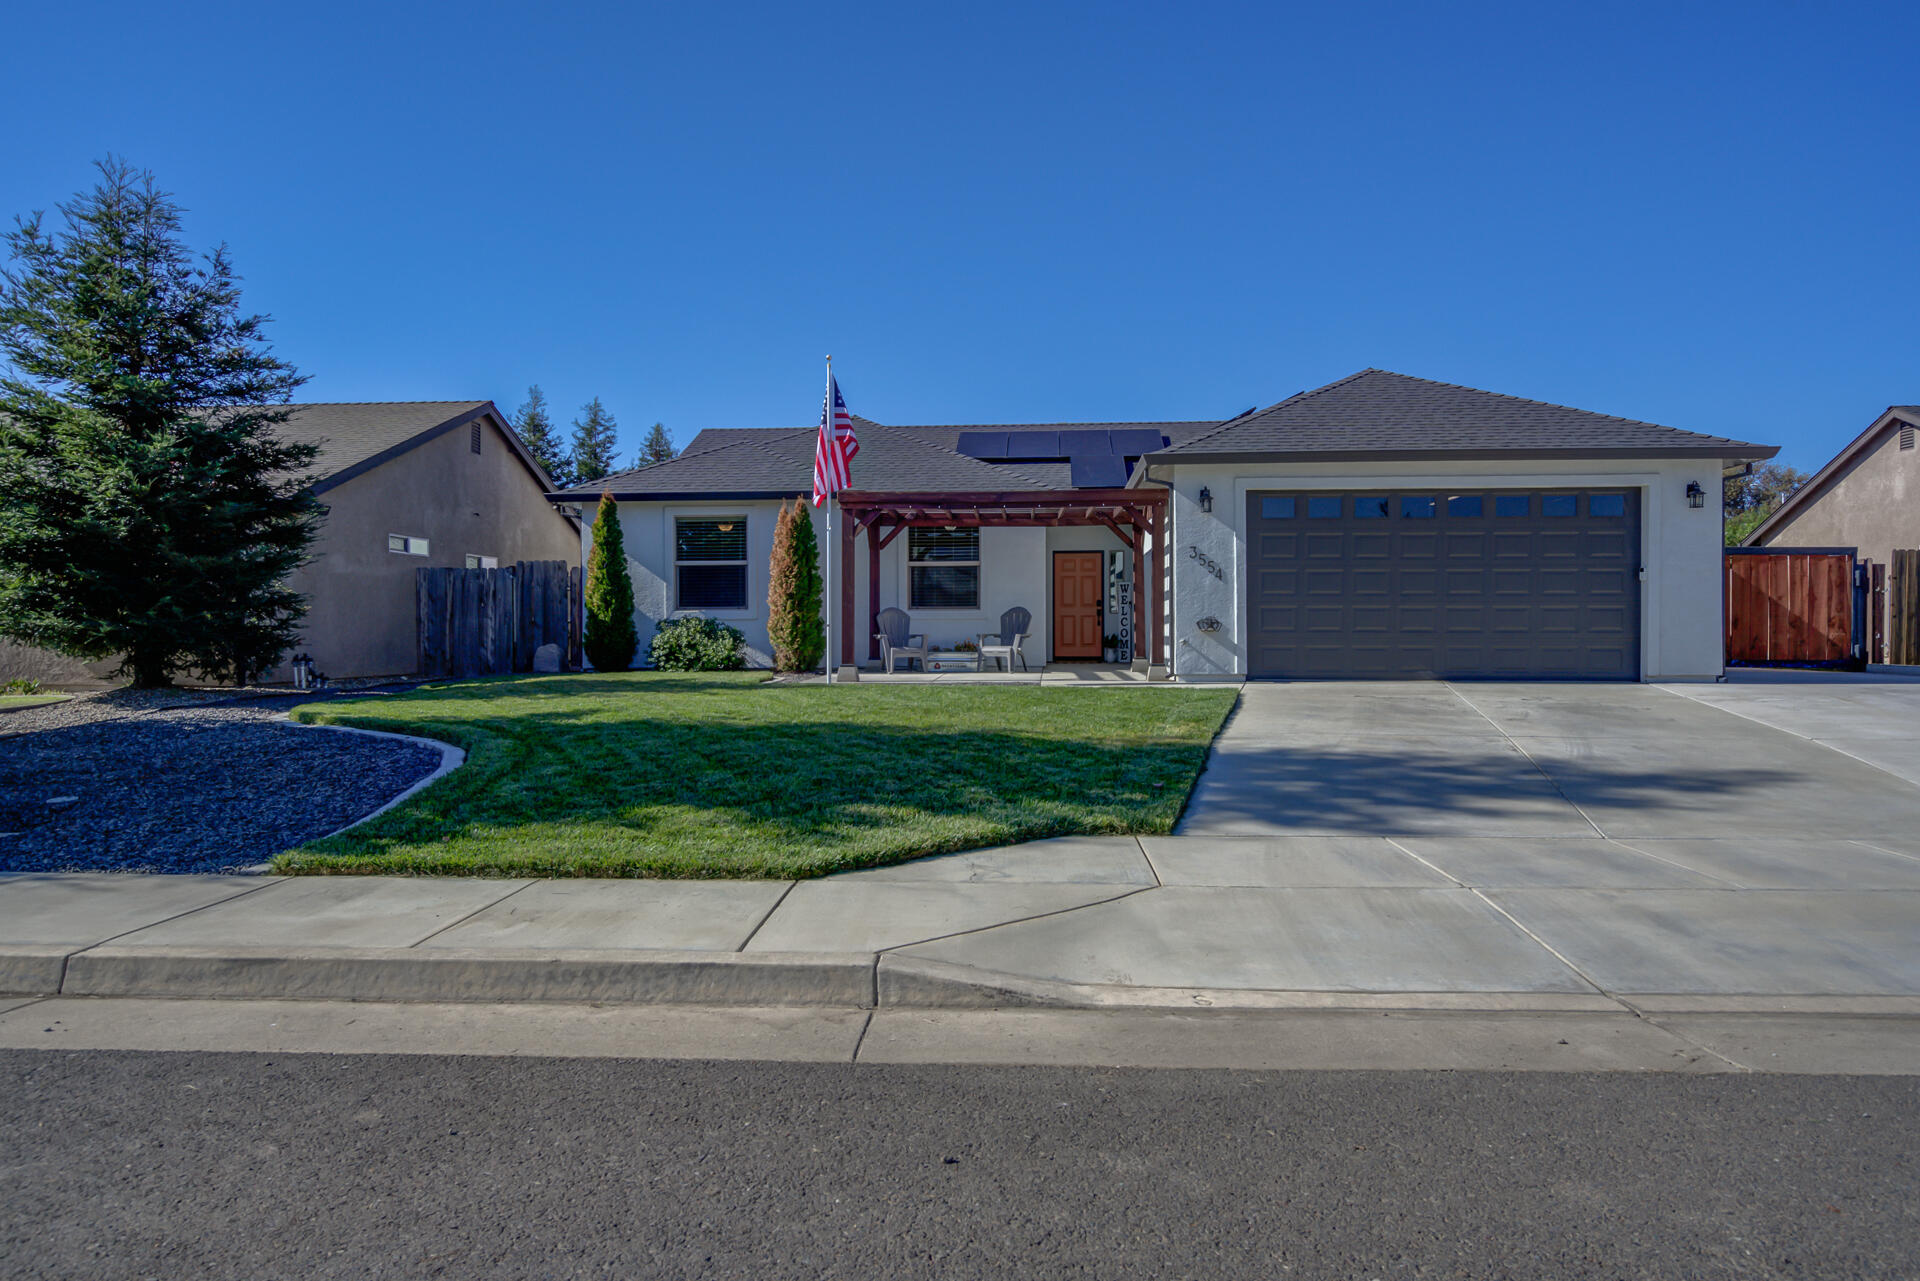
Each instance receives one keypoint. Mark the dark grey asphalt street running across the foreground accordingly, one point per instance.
(128, 1165)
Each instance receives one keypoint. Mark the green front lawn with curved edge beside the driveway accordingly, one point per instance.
(725, 775)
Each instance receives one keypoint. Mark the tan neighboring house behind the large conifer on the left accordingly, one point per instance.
(404, 485)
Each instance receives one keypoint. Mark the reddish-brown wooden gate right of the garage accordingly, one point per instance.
(1790, 606)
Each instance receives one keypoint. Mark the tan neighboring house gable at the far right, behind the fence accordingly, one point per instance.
(1865, 498)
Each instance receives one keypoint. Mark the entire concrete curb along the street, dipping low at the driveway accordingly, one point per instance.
(769, 980)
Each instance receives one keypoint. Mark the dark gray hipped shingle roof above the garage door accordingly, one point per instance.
(1383, 414)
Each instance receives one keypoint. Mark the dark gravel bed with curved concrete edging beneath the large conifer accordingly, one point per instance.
(176, 781)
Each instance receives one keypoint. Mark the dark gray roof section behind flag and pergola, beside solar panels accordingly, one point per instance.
(779, 462)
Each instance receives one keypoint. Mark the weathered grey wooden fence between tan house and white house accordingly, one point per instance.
(491, 621)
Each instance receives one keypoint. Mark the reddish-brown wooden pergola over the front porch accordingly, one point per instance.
(1138, 518)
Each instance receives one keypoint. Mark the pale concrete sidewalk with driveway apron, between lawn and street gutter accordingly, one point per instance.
(1570, 925)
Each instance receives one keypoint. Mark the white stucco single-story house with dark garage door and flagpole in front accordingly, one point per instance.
(1378, 527)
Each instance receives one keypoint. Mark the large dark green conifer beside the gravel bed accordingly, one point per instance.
(149, 506)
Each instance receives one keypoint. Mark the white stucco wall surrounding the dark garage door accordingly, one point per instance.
(1681, 616)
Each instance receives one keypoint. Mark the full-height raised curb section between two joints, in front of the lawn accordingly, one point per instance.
(473, 975)
